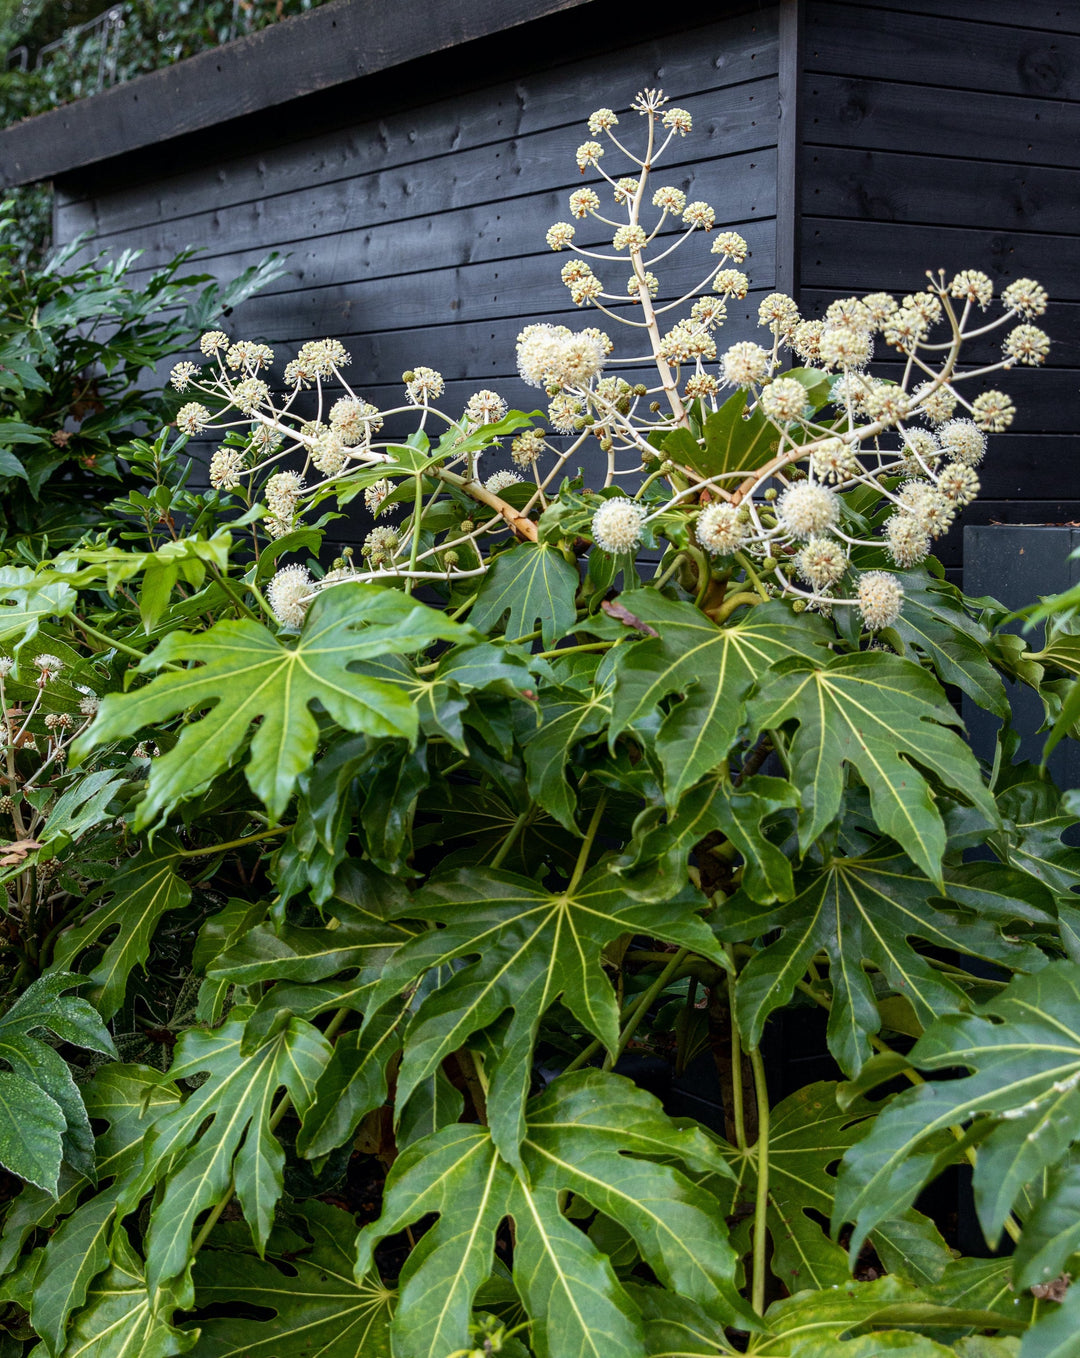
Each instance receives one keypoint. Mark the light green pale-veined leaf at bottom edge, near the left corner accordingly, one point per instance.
(123, 1318)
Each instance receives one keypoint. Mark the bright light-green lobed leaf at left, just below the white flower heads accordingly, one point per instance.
(248, 676)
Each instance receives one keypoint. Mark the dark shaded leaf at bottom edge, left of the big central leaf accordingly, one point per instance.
(317, 1308)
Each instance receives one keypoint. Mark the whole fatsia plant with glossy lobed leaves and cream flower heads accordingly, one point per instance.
(426, 896)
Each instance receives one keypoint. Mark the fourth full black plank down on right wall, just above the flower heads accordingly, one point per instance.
(866, 256)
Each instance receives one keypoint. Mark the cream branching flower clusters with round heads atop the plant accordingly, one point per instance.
(855, 480)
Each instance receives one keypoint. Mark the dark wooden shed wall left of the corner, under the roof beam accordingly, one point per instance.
(418, 237)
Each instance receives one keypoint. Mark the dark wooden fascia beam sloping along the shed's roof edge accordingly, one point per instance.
(340, 43)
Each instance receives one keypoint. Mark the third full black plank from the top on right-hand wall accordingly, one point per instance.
(941, 191)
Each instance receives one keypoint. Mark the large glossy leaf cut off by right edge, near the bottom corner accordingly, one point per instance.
(1024, 1094)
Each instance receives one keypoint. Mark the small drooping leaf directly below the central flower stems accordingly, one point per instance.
(537, 585)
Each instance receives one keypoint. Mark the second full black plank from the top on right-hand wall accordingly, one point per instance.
(892, 116)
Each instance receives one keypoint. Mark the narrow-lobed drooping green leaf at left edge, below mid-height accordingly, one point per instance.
(132, 902)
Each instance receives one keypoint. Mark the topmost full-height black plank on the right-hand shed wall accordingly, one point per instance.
(953, 54)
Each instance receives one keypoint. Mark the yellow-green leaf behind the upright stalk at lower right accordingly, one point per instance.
(808, 1137)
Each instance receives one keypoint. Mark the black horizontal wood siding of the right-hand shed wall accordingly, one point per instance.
(946, 135)
